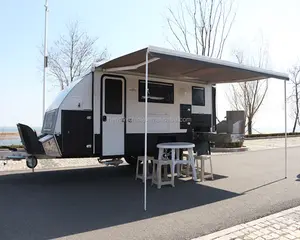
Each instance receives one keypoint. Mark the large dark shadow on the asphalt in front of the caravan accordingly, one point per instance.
(54, 204)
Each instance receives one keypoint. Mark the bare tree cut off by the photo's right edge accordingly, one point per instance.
(294, 98)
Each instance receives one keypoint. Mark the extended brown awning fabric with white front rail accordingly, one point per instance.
(187, 67)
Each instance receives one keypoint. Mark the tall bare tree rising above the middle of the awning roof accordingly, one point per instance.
(201, 26)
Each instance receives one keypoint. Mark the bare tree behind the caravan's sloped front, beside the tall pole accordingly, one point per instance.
(72, 56)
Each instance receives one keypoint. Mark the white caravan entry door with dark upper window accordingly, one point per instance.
(113, 116)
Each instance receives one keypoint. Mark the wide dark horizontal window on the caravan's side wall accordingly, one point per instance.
(158, 92)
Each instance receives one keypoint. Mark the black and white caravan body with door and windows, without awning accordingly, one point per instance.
(103, 115)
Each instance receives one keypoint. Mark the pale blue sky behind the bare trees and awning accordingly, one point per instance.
(124, 26)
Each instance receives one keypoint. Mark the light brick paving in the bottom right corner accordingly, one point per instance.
(284, 225)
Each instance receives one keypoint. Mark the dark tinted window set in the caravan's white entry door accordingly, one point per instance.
(113, 96)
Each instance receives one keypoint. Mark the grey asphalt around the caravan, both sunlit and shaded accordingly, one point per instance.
(107, 203)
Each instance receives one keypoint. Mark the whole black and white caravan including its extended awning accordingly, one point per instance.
(103, 114)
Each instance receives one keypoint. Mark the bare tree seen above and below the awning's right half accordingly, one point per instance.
(249, 96)
